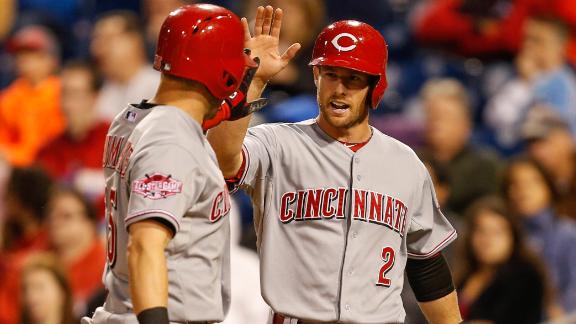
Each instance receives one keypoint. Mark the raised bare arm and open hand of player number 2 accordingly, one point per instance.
(227, 138)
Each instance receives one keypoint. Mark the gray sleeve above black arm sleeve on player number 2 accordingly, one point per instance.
(429, 231)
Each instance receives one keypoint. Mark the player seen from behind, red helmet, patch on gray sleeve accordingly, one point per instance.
(166, 200)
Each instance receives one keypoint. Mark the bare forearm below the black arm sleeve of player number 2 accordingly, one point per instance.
(442, 310)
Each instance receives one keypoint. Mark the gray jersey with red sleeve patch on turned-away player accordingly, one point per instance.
(159, 165)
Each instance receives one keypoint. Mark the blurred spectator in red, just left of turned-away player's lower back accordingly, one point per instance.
(71, 223)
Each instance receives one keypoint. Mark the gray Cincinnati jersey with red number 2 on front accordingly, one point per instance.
(335, 227)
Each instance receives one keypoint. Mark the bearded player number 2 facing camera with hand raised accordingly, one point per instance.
(341, 210)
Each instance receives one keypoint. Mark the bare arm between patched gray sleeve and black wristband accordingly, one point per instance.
(148, 277)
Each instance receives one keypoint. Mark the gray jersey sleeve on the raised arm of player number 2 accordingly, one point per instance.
(259, 151)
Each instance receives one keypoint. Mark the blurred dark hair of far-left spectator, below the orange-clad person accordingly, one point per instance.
(31, 187)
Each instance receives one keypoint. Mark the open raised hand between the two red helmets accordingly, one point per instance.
(264, 43)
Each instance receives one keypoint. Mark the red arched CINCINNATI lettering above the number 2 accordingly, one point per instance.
(327, 203)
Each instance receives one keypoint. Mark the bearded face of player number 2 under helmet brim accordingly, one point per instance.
(342, 96)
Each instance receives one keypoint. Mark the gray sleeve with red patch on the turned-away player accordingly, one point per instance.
(164, 182)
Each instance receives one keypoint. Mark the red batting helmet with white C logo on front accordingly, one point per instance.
(354, 45)
